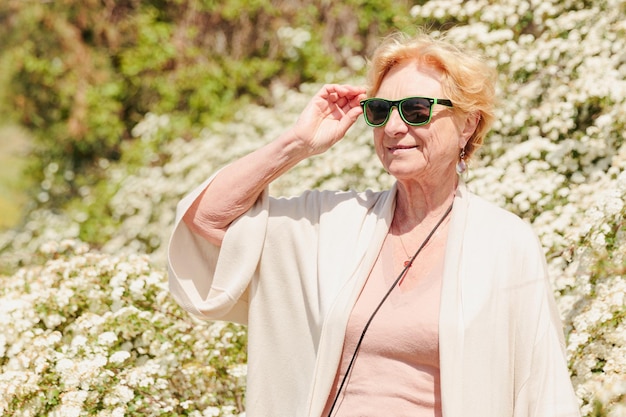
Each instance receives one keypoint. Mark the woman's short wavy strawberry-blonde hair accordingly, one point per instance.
(467, 80)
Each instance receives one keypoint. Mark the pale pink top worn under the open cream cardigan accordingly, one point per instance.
(396, 372)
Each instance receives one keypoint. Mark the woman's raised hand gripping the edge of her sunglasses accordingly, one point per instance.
(328, 116)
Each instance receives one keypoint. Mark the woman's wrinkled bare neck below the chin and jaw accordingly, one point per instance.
(418, 203)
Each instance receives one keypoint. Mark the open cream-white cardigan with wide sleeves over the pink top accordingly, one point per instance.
(291, 269)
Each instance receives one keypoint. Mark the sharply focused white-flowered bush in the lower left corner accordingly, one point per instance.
(89, 334)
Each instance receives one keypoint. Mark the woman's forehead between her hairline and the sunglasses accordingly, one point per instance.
(411, 79)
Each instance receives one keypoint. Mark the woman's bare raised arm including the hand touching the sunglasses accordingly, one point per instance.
(324, 121)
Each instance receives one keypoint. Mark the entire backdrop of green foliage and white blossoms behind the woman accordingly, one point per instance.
(132, 103)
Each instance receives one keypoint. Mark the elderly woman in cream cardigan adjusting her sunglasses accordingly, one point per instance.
(422, 300)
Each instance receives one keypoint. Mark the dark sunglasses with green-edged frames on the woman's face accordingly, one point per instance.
(415, 111)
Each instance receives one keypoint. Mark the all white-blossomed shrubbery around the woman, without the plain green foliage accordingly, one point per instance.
(84, 330)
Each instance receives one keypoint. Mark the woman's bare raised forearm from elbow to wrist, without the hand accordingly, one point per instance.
(235, 189)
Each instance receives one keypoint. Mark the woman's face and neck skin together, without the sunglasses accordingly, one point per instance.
(421, 158)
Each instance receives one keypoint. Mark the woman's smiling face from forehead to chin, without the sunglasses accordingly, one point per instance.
(418, 153)
